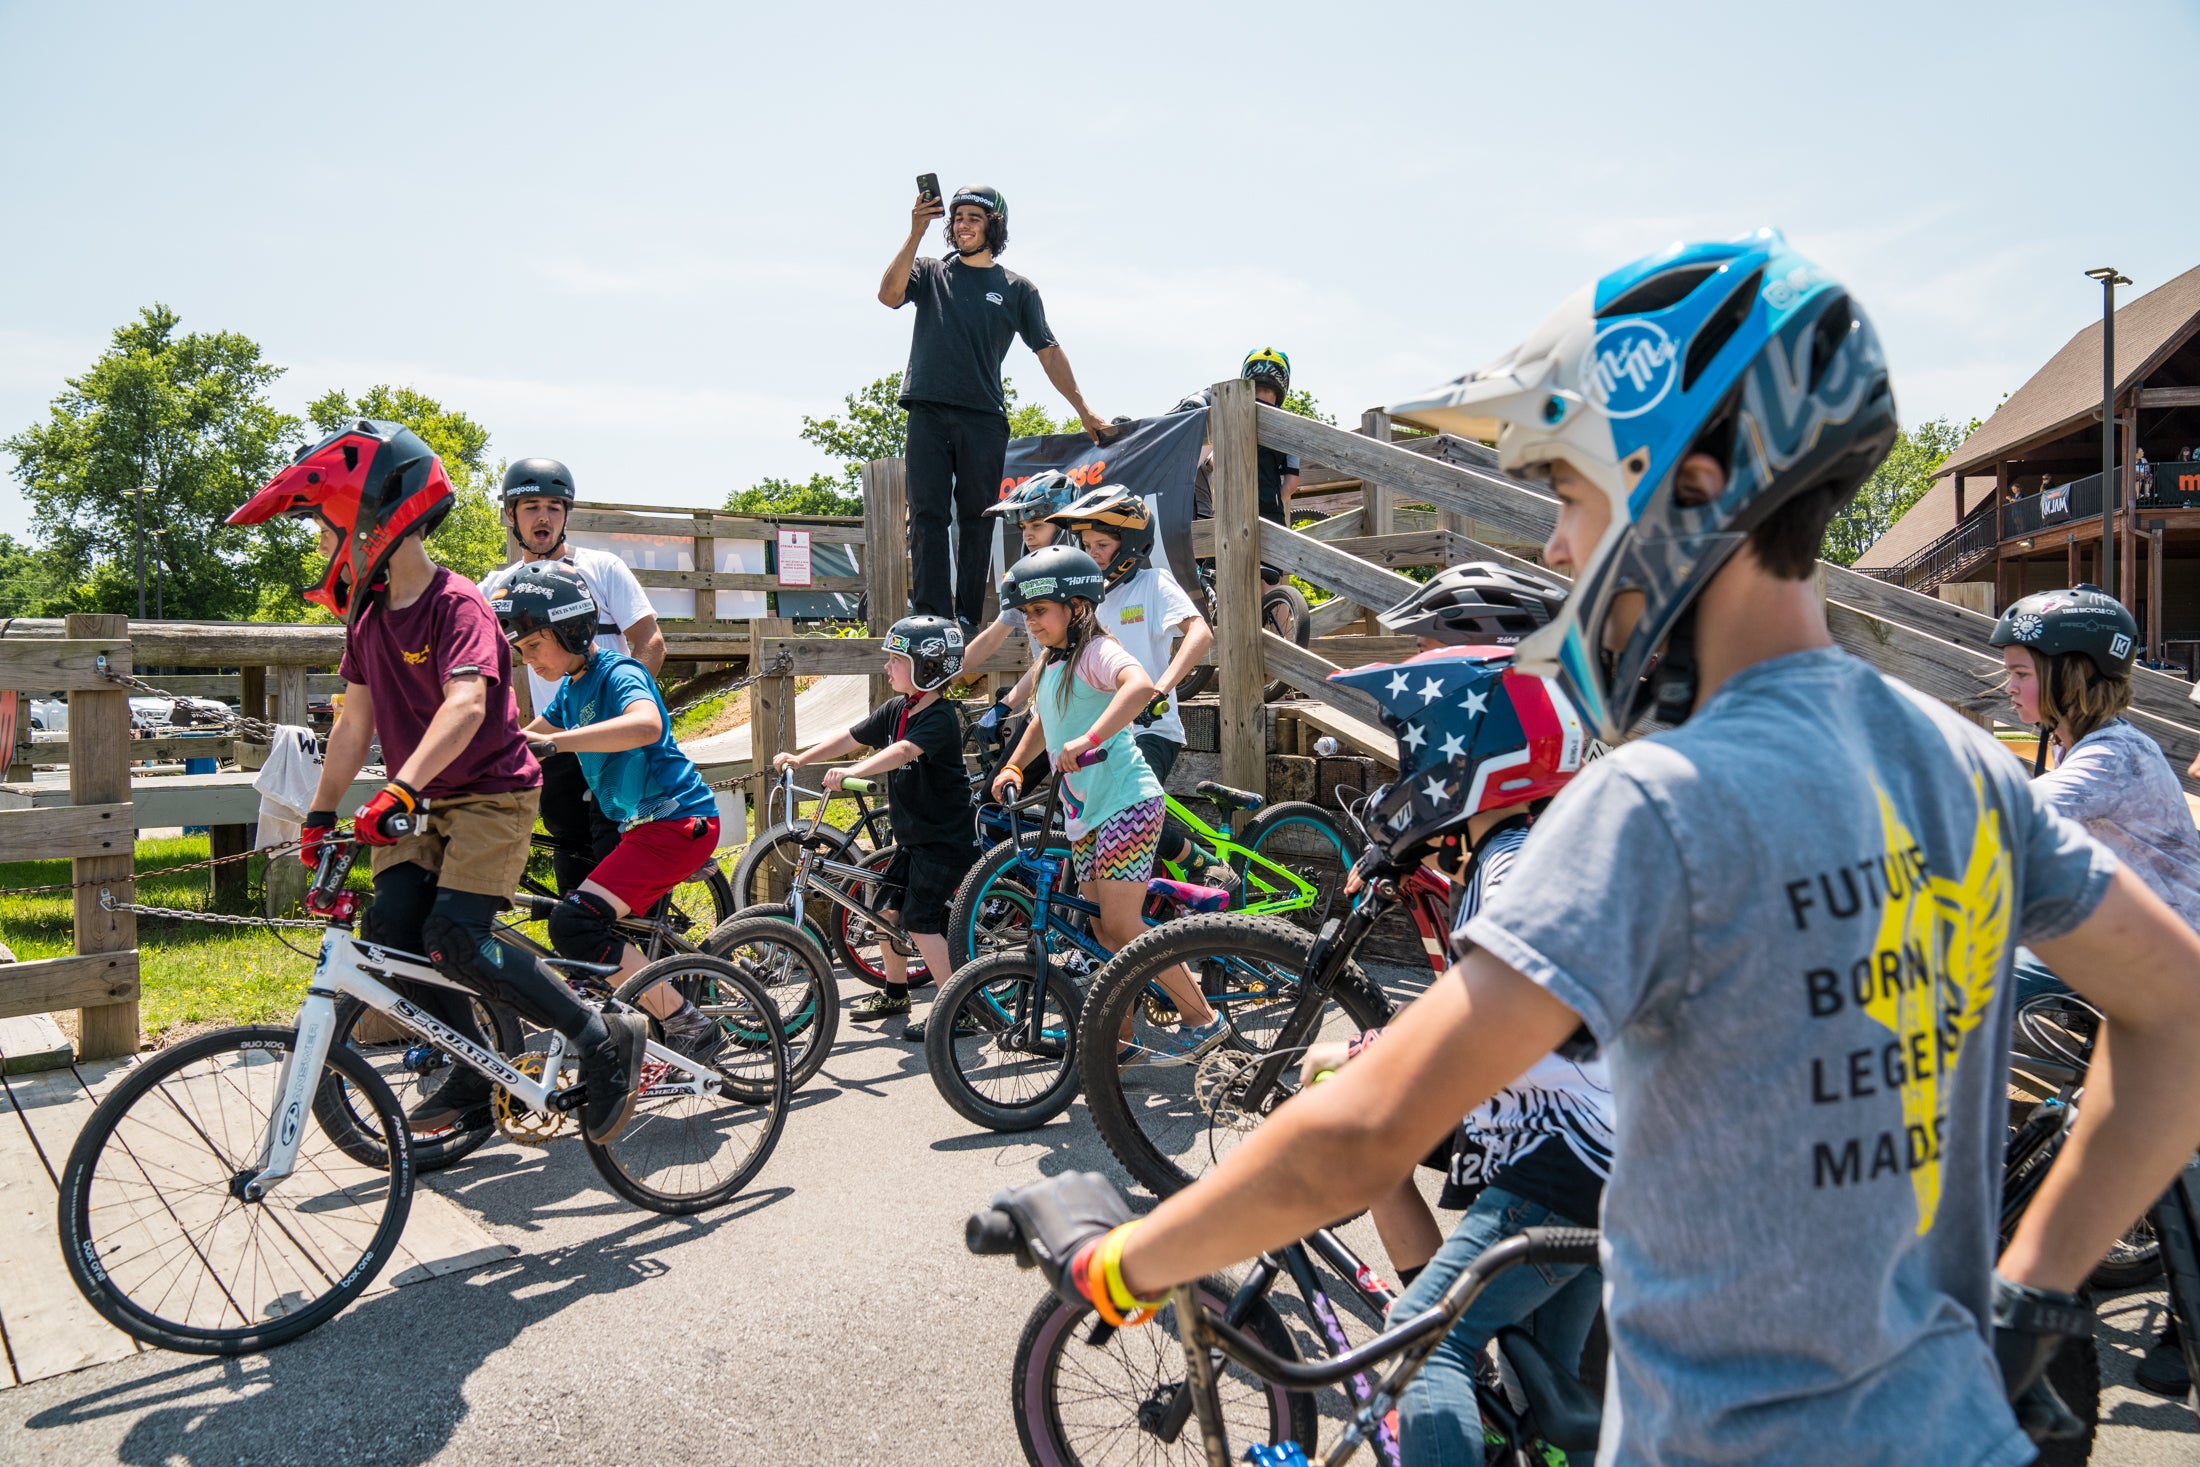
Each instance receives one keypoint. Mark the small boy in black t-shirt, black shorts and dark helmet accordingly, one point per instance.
(918, 740)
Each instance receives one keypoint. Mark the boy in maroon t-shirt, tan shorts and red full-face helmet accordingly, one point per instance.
(428, 668)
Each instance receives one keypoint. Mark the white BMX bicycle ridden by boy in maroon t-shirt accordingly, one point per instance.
(208, 1209)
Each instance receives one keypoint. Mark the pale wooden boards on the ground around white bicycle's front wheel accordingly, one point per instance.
(45, 1325)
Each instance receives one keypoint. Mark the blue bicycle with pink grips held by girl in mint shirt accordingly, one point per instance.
(1002, 1035)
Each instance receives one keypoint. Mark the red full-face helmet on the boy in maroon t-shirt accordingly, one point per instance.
(373, 485)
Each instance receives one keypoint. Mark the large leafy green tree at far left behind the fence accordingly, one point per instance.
(186, 417)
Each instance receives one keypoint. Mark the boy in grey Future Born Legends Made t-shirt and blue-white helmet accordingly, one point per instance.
(1787, 925)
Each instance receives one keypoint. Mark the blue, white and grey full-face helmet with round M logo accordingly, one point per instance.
(1743, 351)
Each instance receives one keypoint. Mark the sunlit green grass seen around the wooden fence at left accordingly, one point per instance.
(192, 973)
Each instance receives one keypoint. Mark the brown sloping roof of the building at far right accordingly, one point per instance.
(2067, 393)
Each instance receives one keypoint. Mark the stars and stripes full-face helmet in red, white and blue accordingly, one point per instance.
(1473, 733)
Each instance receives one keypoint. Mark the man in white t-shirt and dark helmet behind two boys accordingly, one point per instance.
(538, 496)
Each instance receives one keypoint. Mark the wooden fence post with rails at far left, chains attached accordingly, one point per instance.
(96, 830)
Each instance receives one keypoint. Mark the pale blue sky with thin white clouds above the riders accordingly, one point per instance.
(648, 239)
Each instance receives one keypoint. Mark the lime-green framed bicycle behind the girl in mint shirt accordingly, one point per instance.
(991, 903)
